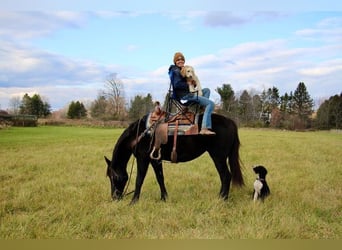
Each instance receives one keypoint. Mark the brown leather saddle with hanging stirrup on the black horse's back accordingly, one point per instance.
(181, 124)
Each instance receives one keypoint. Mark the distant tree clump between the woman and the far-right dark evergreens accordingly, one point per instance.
(290, 111)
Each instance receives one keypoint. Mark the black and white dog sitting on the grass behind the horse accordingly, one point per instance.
(261, 189)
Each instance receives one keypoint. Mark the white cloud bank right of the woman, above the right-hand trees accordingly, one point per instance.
(259, 65)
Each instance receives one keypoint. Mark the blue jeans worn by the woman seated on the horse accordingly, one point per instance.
(205, 102)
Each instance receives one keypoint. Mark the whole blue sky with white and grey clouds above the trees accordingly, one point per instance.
(67, 55)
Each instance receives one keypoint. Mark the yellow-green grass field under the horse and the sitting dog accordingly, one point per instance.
(53, 186)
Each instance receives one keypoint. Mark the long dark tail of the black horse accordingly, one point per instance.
(235, 162)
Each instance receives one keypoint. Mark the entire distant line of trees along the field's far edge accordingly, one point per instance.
(292, 110)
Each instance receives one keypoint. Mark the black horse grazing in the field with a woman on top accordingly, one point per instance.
(225, 144)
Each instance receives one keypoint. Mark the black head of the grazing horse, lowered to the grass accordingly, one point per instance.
(117, 181)
